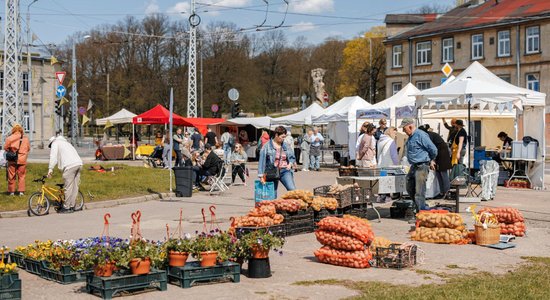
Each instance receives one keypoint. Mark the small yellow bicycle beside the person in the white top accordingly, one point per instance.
(39, 202)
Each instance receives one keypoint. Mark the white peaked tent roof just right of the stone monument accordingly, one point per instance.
(343, 110)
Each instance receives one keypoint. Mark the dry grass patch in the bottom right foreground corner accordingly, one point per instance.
(528, 281)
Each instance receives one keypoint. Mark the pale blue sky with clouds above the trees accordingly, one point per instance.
(53, 20)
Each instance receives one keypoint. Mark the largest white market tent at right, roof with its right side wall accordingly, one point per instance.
(478, 88)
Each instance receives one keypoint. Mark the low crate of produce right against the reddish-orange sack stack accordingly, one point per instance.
(395, 258)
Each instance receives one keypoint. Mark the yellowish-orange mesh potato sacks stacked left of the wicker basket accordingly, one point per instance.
(441, 228)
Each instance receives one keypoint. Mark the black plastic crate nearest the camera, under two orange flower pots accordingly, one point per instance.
(107, 287)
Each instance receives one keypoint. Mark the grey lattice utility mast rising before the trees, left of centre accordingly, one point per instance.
(194, 21)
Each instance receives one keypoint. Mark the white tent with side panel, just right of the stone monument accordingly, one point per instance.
(341, 117)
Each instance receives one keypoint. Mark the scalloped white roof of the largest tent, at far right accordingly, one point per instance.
(487, 90)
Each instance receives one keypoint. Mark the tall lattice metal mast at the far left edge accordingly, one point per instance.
(12, 106)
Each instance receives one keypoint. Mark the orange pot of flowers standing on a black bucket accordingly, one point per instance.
(258, 243)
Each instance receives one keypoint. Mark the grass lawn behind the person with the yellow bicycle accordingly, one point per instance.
(128, 181)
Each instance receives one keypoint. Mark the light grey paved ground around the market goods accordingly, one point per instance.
(296, 264)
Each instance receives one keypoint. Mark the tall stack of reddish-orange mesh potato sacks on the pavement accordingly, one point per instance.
(345, 241)
